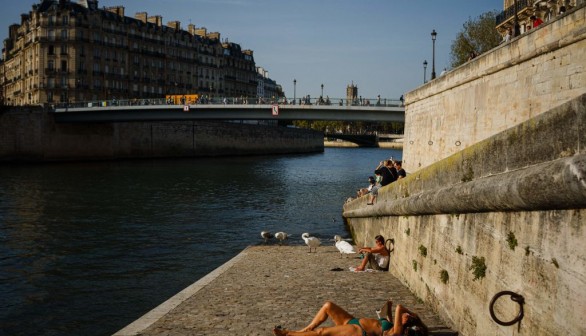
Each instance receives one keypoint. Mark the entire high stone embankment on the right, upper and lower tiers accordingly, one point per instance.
(495, 199)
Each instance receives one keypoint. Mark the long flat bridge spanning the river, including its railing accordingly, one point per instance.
(114, 111)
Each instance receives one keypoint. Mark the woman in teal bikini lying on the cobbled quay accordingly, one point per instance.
(405, 323)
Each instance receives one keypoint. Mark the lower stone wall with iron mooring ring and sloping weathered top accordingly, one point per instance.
(515, 201)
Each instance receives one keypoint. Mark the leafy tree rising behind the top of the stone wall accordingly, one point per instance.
(478, 36)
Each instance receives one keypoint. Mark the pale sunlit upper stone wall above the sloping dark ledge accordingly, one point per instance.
(497, 90)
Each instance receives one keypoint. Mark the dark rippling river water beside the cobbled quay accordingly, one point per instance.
(86, 248)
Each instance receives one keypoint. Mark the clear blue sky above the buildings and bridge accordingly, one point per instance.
(377, 45)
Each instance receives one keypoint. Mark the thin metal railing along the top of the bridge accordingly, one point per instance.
(382, 102)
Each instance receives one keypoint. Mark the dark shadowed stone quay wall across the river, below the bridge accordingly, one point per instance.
(31, 134)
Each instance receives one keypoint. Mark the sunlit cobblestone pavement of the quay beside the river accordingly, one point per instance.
(284, 285)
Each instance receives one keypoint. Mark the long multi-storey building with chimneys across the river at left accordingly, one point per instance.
(66, 51)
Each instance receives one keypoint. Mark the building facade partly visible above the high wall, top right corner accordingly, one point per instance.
(523, 10)
